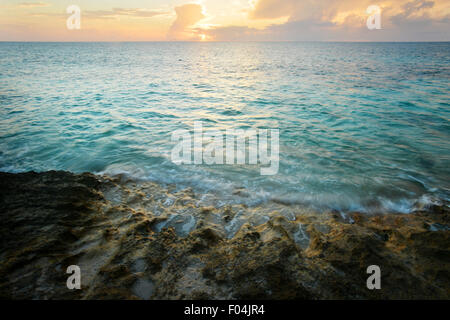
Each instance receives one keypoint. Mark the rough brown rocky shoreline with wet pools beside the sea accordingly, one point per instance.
(145, 241)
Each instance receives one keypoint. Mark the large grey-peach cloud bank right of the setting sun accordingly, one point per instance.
(345, 20)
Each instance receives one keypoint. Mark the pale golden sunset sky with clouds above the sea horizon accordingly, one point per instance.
(225, 20)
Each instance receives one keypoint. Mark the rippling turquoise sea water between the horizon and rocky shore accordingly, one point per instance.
(363, 126)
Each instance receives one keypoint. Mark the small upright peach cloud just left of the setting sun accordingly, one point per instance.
(187, 16)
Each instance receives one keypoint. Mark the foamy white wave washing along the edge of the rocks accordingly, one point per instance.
(223, 192)
